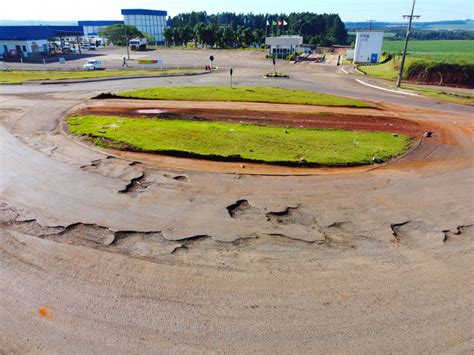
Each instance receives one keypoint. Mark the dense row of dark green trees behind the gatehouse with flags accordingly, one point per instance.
(230, 30)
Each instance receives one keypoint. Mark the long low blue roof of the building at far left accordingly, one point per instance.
(24, 33)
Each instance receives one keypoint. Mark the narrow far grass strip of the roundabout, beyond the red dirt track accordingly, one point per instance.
(243, 94)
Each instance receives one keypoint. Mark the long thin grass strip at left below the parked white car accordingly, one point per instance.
(20, 76)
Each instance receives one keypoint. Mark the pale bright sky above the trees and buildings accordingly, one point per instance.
(349, 10)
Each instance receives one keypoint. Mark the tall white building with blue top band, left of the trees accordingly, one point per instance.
(152, 22)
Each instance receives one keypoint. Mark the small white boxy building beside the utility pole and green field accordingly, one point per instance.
(368, 47)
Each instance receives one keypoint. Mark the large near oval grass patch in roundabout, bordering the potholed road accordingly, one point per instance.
(223, 141)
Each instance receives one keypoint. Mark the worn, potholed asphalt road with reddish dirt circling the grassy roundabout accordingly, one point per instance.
(113, 255)
